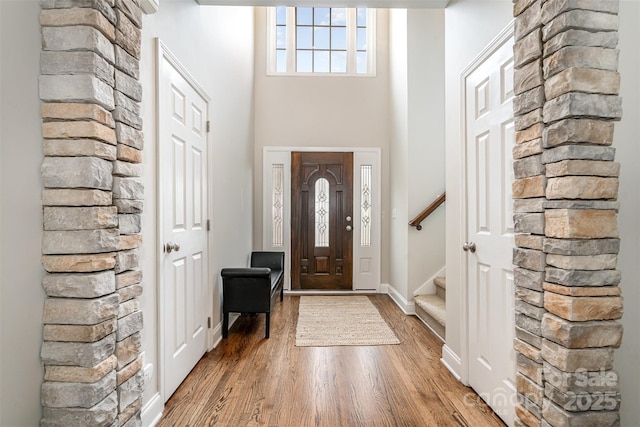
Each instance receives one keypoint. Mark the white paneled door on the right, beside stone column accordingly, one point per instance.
(490, 137)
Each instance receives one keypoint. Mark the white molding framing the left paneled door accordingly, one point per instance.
(164, 54)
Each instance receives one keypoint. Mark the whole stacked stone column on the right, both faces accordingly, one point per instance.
(565, 190)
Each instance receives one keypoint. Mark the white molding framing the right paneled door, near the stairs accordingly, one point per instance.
(459, 364)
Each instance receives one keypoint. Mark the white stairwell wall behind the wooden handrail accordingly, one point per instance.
(426, 159)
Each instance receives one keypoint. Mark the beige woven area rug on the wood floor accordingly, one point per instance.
(325, 321)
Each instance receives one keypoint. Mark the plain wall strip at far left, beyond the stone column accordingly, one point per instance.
(21, 273)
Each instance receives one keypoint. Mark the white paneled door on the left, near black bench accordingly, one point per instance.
(183, 205)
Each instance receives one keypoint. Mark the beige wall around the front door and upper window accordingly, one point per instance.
(317, 111)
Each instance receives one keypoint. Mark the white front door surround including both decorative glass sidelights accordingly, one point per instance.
(276, 201)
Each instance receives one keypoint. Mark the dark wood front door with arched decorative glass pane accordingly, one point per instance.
(321, 220)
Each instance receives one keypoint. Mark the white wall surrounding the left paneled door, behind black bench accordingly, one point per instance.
(216, 45)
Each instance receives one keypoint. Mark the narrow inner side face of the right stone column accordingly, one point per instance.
(528, 193)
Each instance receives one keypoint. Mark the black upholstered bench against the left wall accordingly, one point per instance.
(252, 289)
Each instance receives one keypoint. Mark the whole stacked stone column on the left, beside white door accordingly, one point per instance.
(92, 203)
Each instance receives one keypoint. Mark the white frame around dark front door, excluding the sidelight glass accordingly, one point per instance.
(282, 155)
